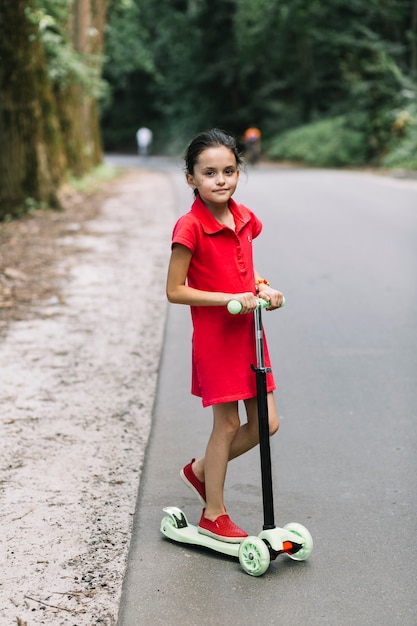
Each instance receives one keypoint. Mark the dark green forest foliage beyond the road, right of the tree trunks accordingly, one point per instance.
(182, 65)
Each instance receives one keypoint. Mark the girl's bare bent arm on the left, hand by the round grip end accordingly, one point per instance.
(178, 292)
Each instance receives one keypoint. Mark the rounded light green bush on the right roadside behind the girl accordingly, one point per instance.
(326, 143)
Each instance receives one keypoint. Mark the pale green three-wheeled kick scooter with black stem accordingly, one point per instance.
(255, 552)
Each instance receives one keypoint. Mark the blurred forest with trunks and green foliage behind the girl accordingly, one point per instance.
(329, 84)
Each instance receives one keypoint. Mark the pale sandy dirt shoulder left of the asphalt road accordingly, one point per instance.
(82, 312)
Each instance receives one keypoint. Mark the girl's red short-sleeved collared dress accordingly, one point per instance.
(223, 345)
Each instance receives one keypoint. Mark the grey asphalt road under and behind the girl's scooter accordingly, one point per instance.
(342, 246)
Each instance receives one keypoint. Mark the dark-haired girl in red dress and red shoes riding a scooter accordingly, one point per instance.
(211, 263)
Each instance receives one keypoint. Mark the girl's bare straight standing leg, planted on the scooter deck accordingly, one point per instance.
(226, 425)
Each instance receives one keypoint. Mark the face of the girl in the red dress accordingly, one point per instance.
(215, 176)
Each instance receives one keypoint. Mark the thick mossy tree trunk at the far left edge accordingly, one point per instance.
(32, 162)
